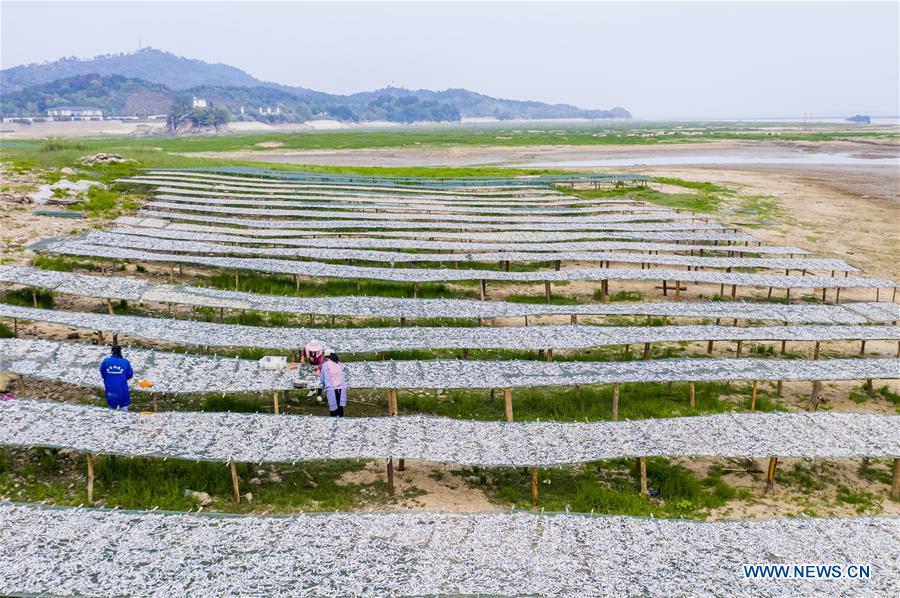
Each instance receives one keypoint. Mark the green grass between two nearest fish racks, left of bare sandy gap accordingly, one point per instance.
(48, 475)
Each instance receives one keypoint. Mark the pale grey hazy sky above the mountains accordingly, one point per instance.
(659, 60)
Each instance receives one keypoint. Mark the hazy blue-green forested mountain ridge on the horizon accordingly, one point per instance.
(149, 81)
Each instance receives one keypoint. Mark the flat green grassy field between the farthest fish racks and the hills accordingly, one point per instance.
(158, 151)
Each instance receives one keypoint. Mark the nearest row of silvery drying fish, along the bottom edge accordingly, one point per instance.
(58, 551)
